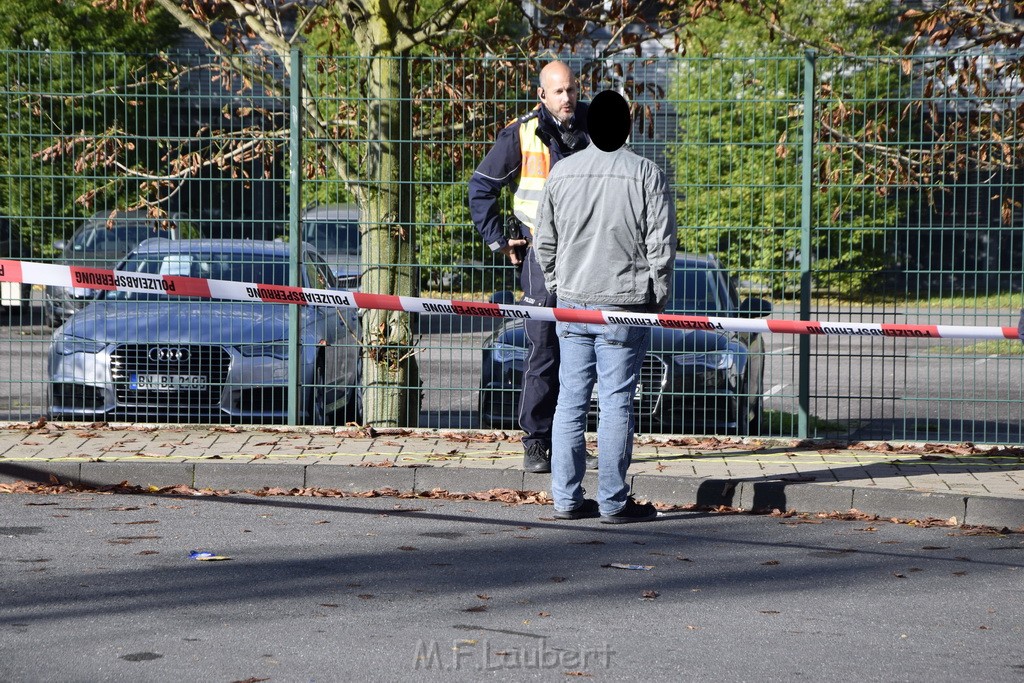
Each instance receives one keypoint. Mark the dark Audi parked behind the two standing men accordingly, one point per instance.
(692, 380)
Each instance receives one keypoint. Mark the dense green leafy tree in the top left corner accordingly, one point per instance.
(78, 56)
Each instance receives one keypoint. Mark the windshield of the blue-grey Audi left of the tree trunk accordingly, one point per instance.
(233, 267)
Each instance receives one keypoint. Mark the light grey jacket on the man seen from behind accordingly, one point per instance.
(607, 230)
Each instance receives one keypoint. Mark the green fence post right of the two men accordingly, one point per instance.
(805, 242)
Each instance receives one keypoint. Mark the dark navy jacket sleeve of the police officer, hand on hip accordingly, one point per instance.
(499, 168)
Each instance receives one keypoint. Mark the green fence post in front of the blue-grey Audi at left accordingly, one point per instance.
(294, 232)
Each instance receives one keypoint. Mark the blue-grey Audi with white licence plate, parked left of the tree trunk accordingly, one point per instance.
(158, 358)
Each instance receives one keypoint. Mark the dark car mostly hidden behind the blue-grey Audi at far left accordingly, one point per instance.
(101, 242)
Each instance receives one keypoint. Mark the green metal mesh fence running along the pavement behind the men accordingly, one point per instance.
(864, 190)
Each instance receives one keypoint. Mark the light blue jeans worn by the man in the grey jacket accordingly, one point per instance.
(610, 356)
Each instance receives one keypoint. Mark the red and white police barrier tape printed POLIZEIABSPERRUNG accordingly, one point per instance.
(97, 279)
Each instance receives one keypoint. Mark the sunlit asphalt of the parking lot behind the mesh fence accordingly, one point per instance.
(934, 391)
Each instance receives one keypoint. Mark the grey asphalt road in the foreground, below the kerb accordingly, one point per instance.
(102, 587)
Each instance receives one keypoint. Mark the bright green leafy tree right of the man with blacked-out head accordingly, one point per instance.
(739, 158)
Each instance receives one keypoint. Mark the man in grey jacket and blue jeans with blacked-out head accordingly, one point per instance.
(606, 240)
